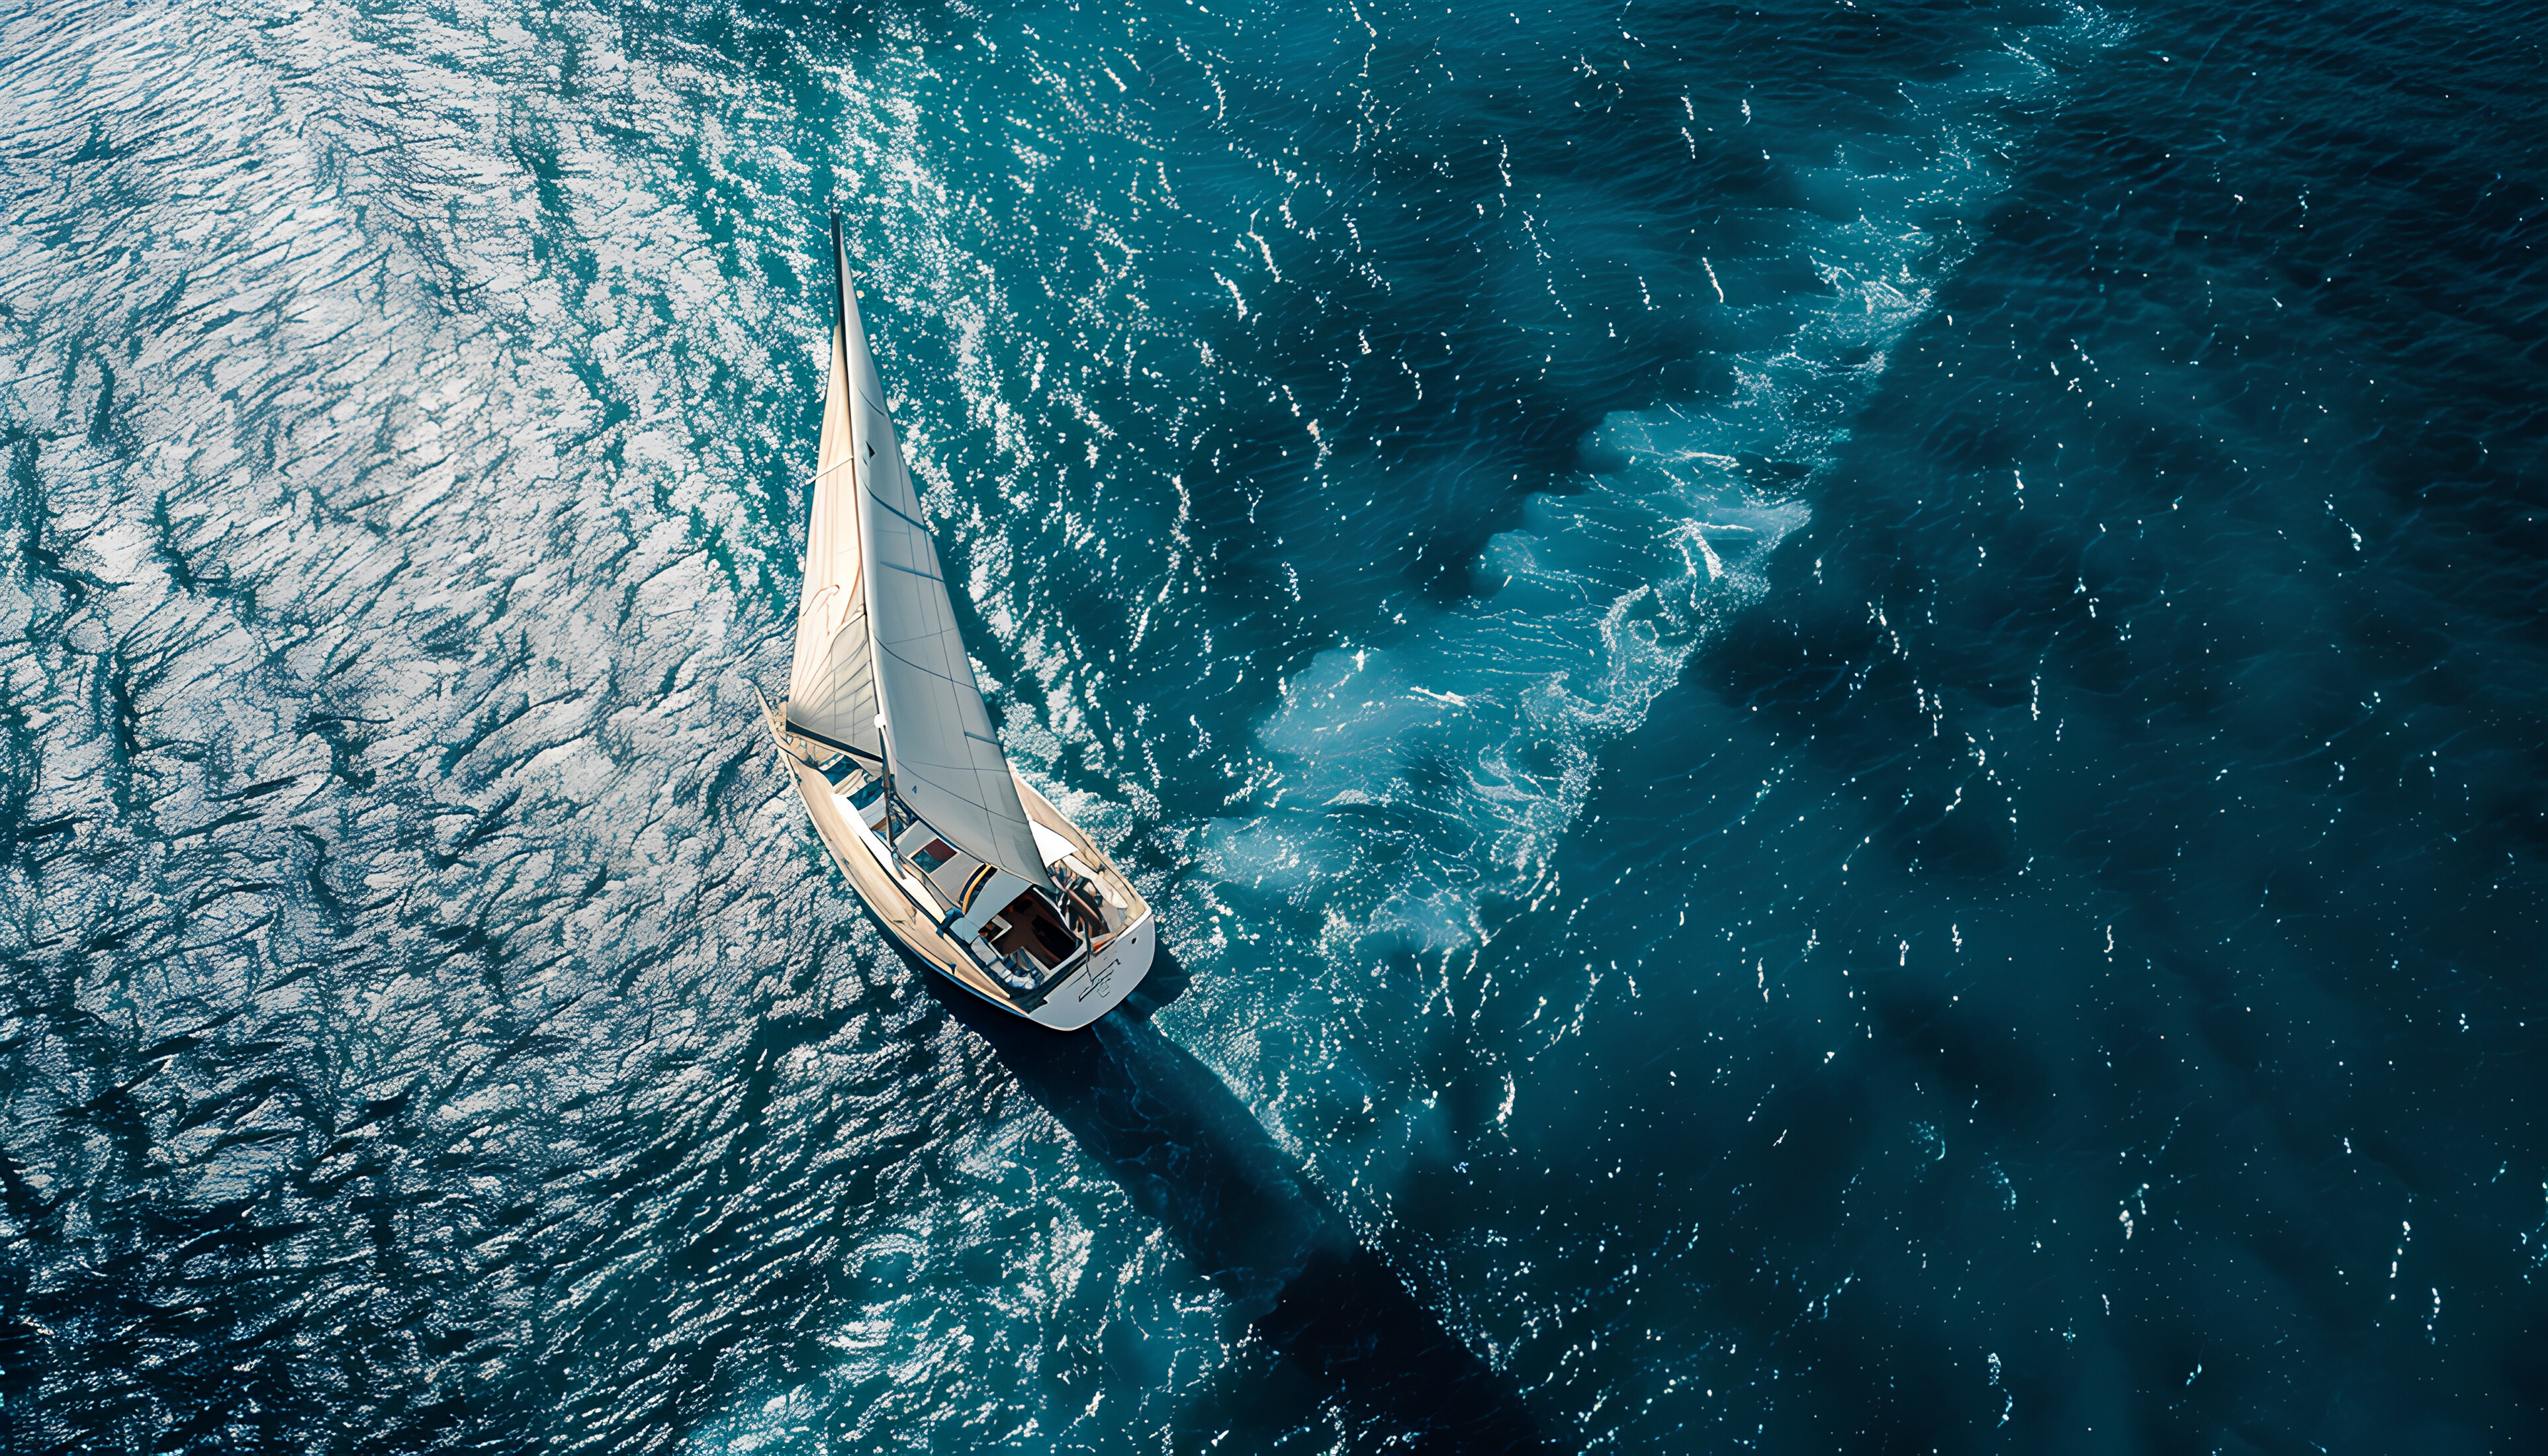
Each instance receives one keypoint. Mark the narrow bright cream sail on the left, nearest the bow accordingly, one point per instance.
(832, 695)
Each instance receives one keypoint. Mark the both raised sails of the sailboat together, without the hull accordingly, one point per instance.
(891, 677)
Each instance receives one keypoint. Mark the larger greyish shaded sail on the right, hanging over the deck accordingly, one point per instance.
(941, 751)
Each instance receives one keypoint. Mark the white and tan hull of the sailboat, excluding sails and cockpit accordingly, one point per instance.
(906, 906)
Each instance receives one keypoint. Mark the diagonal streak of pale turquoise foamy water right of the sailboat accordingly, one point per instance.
(1436, 764)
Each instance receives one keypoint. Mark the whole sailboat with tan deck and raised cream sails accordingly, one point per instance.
(898, 761)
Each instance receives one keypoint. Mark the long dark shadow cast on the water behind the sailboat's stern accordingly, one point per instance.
(1331, 1314)
